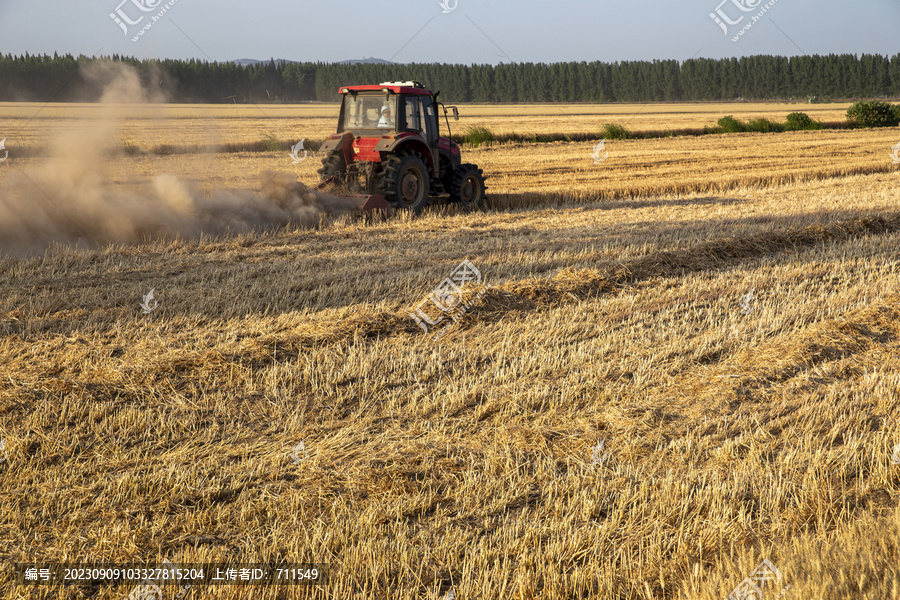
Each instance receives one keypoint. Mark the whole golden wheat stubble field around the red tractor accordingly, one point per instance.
(721, 312)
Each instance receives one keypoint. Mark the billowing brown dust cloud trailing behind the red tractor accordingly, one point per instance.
(67, 198)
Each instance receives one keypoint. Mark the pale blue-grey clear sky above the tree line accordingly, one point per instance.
(474, 31)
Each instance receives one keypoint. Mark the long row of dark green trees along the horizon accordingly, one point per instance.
(845, 76)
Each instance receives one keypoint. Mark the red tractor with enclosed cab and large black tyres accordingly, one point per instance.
(388, 142)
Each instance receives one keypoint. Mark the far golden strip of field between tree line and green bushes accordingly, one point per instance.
(151, 126)
